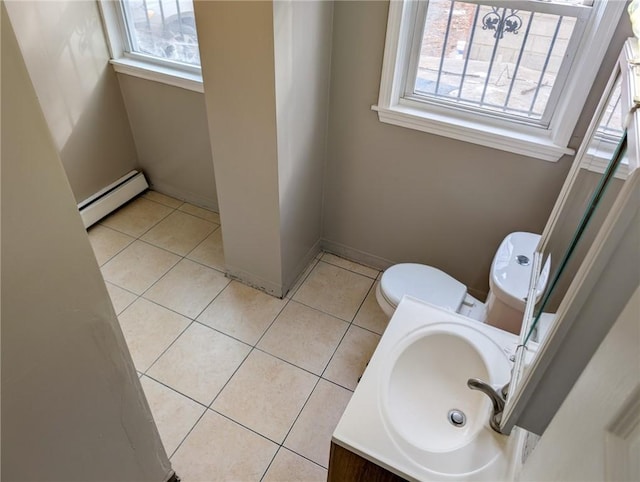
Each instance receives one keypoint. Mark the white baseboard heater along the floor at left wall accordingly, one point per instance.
(112, 197)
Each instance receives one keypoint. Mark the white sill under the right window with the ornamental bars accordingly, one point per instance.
(510, 140)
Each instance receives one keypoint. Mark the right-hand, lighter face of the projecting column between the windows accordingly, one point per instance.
(302, 65)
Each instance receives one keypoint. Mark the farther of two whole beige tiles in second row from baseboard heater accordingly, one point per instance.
(179, 232)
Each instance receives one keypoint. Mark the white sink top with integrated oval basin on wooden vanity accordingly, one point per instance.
(398, 416)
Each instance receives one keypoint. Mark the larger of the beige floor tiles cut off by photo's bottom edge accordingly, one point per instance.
(220, 450)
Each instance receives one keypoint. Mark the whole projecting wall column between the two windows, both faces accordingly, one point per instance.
(266, 78)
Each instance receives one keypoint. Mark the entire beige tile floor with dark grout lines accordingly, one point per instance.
(242, 386)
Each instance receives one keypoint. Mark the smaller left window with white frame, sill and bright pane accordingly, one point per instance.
(154, 39)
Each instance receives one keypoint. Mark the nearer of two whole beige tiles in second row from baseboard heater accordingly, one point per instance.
(138, 266)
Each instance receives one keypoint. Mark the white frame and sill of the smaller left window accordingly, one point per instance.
(139, 65)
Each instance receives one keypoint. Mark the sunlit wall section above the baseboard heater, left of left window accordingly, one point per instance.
(65, 51)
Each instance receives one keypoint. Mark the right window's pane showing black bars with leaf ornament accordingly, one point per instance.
(493, 58)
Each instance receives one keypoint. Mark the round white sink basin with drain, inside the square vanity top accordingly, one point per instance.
(426, 379)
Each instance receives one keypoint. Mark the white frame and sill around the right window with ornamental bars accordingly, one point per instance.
(548, 143)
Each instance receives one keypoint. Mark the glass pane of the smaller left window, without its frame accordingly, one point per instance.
(163, 28)
